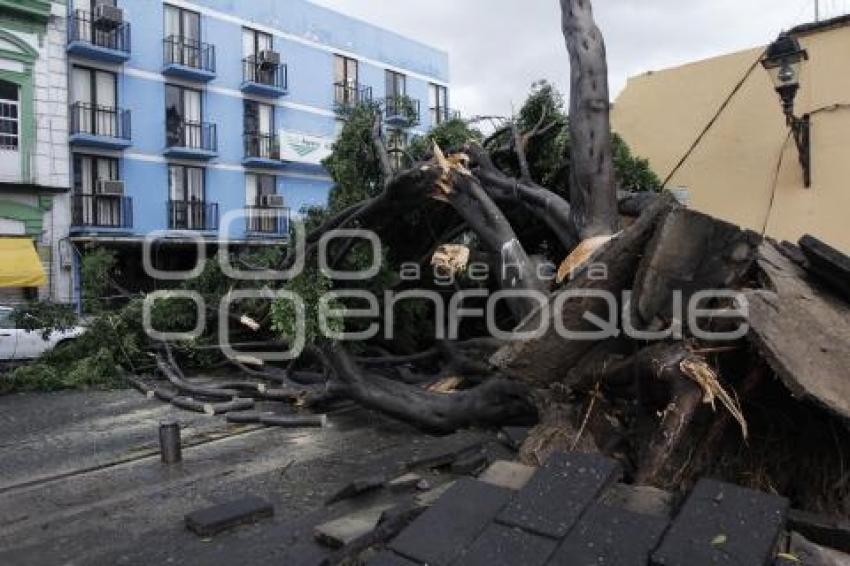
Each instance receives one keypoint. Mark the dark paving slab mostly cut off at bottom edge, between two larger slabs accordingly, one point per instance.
(500, 545)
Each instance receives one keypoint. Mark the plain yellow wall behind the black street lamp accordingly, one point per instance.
(733, 170)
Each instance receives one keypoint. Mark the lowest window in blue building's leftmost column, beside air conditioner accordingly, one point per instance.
(90, 207)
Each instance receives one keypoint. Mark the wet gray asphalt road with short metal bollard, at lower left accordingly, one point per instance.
(81, 483)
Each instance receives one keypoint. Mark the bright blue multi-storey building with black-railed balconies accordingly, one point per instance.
(181, 112)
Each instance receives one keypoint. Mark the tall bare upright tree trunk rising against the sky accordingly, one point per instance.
(593, 195)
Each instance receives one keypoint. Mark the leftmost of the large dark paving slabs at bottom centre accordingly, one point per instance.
(440, 534)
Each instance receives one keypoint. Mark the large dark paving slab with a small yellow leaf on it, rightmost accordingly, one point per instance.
(723, 524)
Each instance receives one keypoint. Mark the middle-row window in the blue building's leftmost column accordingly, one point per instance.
(95, 99)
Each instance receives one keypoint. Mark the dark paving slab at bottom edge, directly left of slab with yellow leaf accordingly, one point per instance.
(610, 535)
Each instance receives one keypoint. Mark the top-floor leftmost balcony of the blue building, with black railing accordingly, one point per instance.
(98, 40)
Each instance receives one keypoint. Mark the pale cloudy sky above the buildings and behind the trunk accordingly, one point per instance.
(497, 48)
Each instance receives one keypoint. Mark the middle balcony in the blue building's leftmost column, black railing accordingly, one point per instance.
(103, 127)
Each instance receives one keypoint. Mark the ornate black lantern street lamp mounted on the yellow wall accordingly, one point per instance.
(783, 60)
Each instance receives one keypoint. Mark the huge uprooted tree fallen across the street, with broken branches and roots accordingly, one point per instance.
(642, 383)
